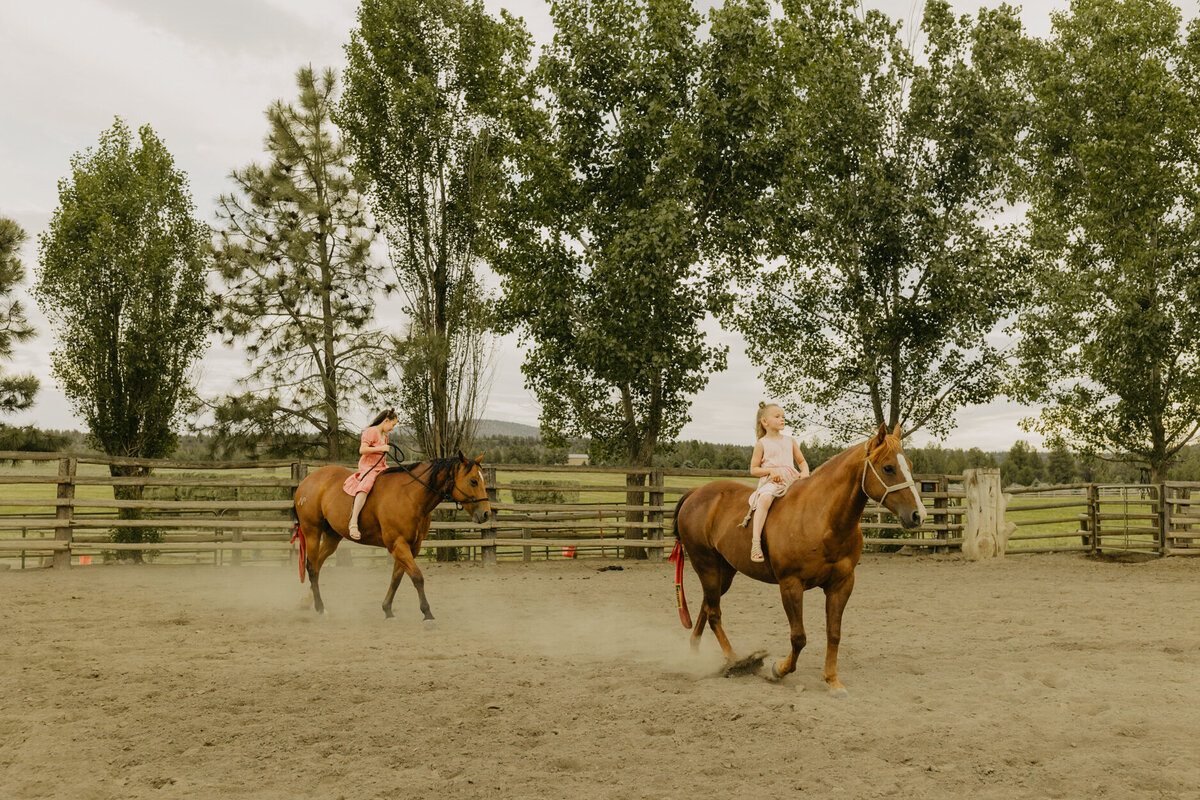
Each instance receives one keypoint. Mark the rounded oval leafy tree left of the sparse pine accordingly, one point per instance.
(123, 280)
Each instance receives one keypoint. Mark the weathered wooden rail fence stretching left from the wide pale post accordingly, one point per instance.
(61, 509)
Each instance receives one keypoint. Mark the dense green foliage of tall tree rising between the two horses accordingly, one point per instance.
(601, 268)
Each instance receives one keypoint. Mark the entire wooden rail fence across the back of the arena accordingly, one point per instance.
(61, 509)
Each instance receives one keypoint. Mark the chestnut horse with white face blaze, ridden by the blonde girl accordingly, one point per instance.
(812, 539)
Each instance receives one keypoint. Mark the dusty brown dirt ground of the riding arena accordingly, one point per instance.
(1033, 677)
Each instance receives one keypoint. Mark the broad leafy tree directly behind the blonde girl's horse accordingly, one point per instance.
(866, 182)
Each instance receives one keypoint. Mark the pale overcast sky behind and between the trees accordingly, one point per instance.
(202, 75)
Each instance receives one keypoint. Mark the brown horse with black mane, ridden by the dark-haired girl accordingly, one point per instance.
(397, 515)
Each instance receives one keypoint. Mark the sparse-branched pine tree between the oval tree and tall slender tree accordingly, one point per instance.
(299, 286)
